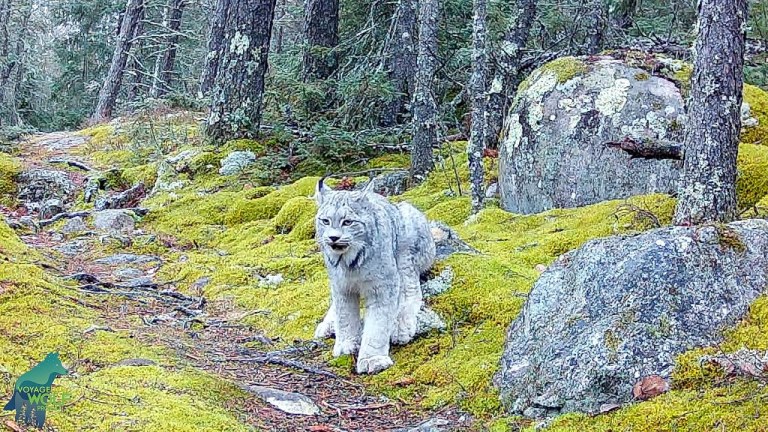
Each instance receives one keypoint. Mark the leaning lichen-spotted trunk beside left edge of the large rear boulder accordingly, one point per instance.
(508, 75)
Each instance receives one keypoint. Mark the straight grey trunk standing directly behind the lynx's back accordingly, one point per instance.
(424, 105)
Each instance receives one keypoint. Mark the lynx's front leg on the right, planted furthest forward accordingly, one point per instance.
(380, 314)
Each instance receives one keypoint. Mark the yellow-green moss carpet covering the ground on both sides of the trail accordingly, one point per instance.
(236, 235)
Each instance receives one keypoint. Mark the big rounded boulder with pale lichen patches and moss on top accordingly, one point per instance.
(554, 150)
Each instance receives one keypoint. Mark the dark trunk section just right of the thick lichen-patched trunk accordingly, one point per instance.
(321, 30)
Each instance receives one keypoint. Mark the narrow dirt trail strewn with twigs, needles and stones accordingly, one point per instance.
(206, 334)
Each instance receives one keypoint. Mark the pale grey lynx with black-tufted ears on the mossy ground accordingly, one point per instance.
(374, 251)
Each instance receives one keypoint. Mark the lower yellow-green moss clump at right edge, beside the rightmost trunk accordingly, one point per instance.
(752, 177)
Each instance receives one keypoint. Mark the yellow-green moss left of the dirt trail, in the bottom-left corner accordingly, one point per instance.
(39, 314)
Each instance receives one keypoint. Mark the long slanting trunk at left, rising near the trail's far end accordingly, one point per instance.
(111, 87)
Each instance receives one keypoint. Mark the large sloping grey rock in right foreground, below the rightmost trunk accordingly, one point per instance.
(616, 310)
